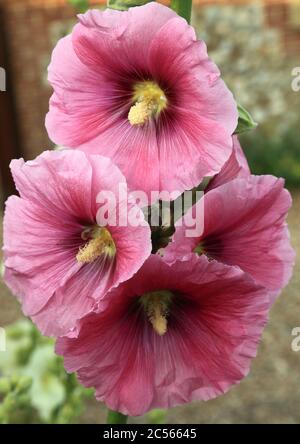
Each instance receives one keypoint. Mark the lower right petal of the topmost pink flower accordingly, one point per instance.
(192, 149)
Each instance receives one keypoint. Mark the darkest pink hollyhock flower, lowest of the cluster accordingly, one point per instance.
(172, 334)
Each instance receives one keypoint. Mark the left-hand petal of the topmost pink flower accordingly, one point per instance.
(80, 105)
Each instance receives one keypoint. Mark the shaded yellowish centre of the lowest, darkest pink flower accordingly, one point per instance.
(156, 305)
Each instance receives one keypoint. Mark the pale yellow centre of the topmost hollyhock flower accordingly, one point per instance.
(149, 101)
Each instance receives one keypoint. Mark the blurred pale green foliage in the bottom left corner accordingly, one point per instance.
(34, 387)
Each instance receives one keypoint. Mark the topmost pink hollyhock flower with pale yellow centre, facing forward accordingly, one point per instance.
(138, 87)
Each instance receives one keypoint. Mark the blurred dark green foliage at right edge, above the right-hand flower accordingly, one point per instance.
(270, 155)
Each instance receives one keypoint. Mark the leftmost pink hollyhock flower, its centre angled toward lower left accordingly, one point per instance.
(60, 257)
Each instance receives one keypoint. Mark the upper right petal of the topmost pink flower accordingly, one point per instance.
(177, 55)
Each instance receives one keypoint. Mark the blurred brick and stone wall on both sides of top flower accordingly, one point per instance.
(272, 27)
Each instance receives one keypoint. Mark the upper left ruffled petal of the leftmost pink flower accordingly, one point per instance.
(49, 182)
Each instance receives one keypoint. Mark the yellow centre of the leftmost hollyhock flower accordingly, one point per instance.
(99, 242)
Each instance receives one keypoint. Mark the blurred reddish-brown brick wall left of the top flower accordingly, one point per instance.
(32, 28)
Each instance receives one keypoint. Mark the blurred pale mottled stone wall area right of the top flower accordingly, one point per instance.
(253, 61)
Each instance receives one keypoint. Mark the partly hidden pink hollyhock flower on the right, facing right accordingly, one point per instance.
(244, 225)
